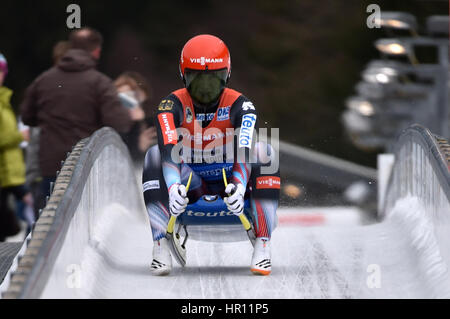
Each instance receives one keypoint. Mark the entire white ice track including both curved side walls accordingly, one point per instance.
(94, 239)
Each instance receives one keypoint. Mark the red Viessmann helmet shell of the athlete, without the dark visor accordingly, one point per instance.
(205, 52)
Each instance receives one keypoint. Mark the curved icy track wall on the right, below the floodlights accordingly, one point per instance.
(418, 199)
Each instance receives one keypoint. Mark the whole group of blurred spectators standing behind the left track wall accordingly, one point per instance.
(66, 103)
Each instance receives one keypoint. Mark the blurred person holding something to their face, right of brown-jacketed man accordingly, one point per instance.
(133, 91)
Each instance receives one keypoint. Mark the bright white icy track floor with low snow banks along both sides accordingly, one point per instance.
(330, 260)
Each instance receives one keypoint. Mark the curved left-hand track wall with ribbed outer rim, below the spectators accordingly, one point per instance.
(81, 213)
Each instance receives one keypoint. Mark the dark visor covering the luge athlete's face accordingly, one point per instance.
(205, 86)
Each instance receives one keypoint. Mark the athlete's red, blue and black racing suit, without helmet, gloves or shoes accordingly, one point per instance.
(217, 137)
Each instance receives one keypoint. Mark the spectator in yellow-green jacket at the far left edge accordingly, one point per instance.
(12, 166)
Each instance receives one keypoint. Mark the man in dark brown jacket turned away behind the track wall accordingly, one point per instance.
(70, 101)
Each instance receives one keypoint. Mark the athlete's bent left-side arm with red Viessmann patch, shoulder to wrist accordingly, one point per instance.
(168, 119)
